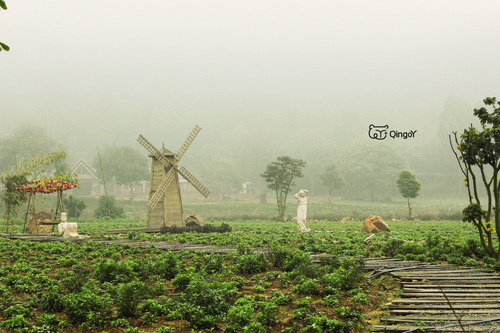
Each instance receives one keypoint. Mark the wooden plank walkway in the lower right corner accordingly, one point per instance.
(439, 298)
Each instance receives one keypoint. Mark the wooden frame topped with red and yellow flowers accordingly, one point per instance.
(34, 186)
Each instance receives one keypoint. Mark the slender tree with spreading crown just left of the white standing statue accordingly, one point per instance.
(280, 175)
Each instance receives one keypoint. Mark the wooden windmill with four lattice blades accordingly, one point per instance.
(165, 203)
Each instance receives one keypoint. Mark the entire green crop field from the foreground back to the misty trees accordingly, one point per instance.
(269, 283)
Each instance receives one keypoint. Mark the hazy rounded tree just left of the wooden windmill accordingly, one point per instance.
(125, 164)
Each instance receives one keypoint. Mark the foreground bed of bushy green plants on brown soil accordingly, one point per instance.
(60, 287)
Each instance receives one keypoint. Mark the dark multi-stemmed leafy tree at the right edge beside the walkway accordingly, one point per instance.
(478, 155)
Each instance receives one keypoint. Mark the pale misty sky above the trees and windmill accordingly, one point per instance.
(262, 79)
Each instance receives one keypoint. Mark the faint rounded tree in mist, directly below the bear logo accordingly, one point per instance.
(371, 168)
